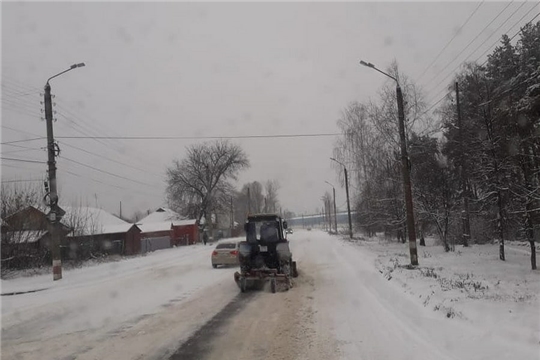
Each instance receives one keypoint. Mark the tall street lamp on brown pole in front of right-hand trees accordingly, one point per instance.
(405, 167)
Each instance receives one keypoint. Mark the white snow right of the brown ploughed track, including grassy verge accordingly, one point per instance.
(378, 309)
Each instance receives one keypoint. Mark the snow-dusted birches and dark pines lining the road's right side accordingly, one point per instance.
(475, 172)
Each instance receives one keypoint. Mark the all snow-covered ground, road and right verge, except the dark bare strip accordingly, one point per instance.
(352, 300)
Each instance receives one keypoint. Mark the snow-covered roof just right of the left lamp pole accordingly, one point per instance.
(92, 221)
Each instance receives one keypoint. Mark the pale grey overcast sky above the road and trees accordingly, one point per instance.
(214, 69)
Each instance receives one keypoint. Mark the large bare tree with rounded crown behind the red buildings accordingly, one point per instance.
(199, 184)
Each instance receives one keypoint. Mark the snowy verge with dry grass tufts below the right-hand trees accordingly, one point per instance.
(471, 283)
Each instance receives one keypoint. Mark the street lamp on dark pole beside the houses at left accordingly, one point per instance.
(56, 213)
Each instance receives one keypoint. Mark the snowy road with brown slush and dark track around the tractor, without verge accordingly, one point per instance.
(173, 305)
